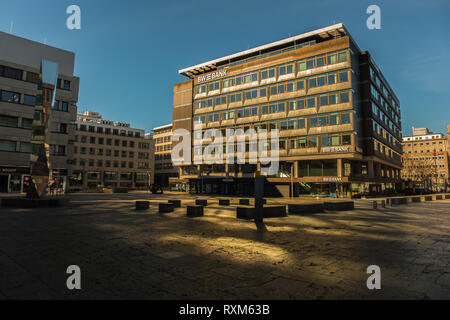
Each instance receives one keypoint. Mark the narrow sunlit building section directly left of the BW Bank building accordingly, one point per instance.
(163, 162)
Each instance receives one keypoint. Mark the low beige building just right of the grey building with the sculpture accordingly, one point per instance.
(110, 154)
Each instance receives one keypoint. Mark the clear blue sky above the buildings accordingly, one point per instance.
(128, 53)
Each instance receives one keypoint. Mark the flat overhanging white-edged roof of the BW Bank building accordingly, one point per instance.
(297, 41)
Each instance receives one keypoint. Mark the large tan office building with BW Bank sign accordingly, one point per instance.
(339, 120)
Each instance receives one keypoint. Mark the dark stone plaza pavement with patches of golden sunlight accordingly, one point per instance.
(128, 254)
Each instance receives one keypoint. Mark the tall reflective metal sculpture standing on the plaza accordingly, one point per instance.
(40, 154)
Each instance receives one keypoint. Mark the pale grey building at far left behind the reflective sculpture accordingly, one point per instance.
(20, 61)
